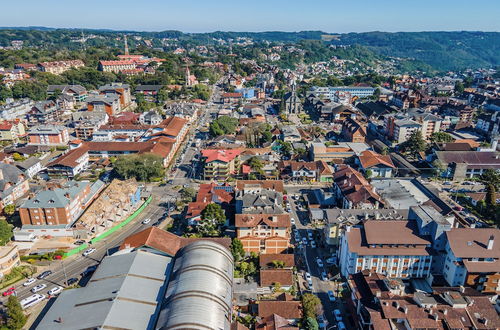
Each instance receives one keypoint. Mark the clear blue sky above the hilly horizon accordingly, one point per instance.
(256, 15)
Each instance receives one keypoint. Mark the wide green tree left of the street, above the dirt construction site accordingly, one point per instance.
(143, 167)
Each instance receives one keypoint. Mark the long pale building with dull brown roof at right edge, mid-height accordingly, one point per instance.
(460, 165)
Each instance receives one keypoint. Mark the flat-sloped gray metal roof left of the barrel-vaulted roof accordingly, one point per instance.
(123, 293)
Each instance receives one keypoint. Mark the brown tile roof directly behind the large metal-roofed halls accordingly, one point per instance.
(165, 241)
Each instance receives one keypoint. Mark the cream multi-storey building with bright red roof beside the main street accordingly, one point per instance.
(219, 164)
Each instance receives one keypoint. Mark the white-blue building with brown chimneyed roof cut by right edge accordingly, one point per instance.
(473, 258)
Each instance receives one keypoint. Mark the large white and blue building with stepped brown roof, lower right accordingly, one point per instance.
(389, 247)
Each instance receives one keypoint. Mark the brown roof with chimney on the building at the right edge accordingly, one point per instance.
(473, 242)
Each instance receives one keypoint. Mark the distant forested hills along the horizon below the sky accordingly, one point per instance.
(427, 51)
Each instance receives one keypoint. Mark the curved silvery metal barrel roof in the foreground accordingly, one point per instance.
(199, 293)
